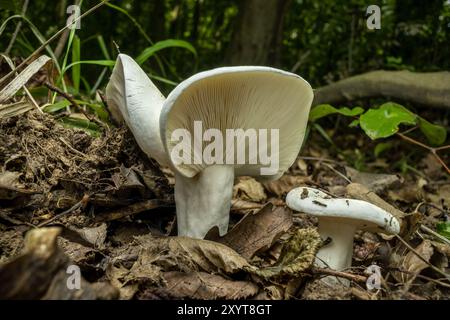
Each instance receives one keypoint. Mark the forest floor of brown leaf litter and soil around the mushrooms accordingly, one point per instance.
(67, 198)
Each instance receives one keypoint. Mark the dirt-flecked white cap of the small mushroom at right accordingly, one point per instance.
(364, 215)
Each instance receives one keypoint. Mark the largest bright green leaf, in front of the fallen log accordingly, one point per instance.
(384, 121)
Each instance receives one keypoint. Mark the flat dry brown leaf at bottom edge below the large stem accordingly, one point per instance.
(201, 285)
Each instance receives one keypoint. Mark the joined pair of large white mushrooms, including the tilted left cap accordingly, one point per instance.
(256, 98)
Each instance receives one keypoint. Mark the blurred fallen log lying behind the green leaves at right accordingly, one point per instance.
(424, 89)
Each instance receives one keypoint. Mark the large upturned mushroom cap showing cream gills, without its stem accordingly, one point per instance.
(244, 97)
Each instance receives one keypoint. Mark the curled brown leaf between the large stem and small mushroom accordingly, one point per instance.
(256, 232)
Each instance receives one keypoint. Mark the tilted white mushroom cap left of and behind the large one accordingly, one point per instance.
(134, 99)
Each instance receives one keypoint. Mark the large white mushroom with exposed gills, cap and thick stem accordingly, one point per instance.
(231, 98)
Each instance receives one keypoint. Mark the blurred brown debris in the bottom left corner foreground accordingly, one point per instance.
(40, 272)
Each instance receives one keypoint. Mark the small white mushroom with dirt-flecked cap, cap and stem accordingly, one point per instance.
(338, 220)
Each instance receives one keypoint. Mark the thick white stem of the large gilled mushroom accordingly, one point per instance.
(204, 201)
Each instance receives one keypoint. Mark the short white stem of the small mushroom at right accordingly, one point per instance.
(336, 255)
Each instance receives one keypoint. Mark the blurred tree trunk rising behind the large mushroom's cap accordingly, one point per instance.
(258, 33)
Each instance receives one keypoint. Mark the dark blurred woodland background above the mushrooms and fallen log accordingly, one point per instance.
(323, 41)
